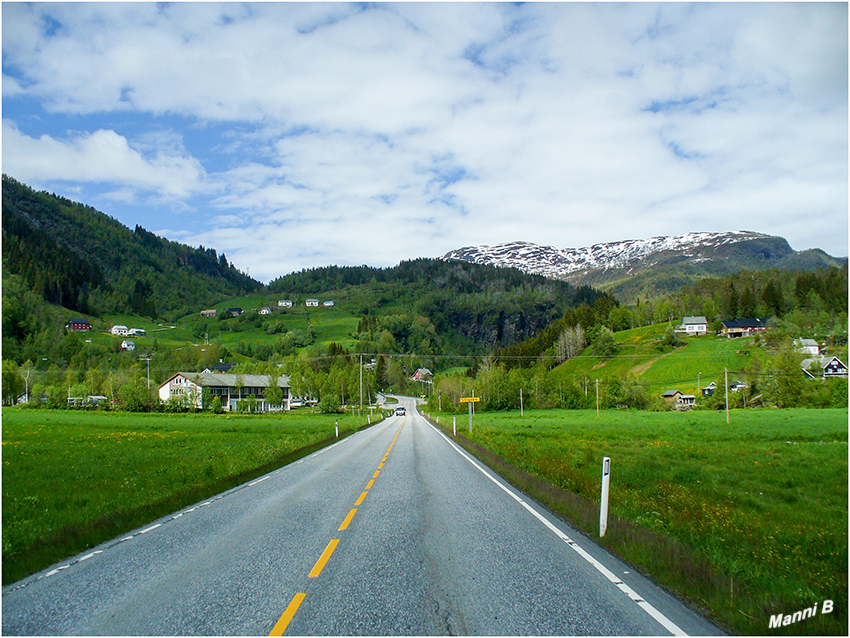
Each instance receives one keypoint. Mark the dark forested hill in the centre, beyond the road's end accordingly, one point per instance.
(430, 306)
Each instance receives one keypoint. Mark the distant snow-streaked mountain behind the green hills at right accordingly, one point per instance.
(648, 267)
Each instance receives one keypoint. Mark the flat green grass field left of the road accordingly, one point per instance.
(72, 480)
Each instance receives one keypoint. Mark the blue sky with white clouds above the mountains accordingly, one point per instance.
(301, 135)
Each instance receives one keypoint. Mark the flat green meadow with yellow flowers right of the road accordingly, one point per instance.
(745, 520)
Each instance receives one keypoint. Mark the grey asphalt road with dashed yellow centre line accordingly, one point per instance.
(392, 531)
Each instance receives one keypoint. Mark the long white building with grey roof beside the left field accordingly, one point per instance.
(229, 388)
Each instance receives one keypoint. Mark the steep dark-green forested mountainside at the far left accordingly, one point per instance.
(81, 259)
